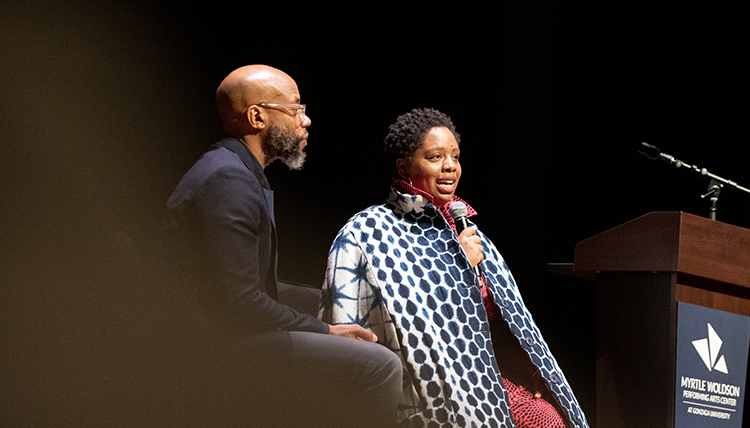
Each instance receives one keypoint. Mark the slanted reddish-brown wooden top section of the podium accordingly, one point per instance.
(670, 242)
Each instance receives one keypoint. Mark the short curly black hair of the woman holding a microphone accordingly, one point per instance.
(406, 135)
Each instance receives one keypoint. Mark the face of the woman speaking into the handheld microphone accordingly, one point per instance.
(434, 167)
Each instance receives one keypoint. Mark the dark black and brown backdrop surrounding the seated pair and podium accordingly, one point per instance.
(106, 104)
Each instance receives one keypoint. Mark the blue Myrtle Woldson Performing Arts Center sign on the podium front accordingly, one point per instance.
(711, 367)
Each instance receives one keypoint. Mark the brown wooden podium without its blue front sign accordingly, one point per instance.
(642, 269)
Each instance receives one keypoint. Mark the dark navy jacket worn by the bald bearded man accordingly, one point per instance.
(223, 210)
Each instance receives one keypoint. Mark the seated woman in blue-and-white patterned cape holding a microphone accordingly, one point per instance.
(400, 270)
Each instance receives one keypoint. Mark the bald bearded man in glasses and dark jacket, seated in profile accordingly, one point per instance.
(223, 207)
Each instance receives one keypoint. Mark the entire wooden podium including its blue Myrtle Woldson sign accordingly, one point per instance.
(643, 268)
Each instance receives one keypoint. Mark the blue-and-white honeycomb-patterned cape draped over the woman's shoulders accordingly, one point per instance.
(398, 270)
